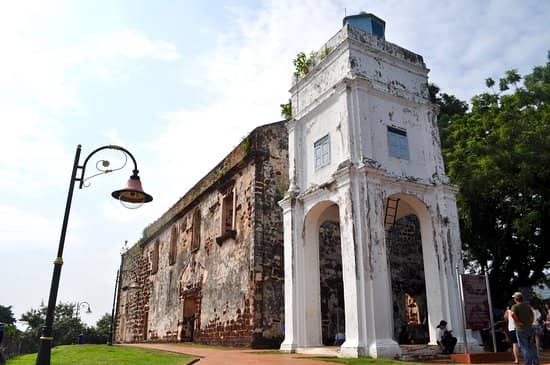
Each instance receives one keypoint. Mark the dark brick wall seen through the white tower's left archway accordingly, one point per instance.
(331, 284)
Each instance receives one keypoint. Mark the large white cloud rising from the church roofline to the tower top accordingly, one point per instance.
(246, 76)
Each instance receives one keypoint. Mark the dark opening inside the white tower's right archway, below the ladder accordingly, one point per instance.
(406, 261)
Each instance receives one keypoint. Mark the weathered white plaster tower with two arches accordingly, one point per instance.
(363, 86)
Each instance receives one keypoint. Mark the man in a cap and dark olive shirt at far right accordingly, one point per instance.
(522, 313)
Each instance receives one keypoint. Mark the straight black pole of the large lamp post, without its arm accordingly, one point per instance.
(44, 350)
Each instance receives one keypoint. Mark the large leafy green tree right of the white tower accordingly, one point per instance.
(498, 153)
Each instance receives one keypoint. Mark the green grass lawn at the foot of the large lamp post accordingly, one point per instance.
(105, 355)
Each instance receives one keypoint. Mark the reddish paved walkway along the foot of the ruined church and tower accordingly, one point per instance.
(231, 356)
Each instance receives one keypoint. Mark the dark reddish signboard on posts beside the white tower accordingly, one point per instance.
(476, 301)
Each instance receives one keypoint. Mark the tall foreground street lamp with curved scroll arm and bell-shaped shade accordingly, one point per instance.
(132, 194)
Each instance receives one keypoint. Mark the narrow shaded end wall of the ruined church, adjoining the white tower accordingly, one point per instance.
(271, 183)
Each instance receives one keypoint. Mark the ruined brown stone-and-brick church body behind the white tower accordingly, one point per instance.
(210, 269)
